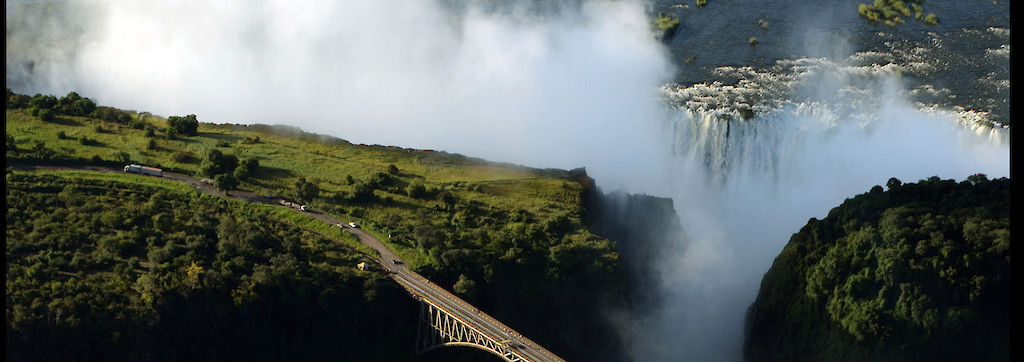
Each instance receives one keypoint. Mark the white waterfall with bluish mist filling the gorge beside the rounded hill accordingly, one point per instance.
(744, 187)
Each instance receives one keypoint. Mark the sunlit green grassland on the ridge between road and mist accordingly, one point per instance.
(287, 154)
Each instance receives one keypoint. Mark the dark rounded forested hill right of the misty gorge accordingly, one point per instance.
(918, 273)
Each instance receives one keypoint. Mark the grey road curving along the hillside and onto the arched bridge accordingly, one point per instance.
(390, 261)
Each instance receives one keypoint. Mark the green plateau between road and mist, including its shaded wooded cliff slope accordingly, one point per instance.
(508, 239)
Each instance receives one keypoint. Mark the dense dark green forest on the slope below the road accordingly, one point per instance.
(103, 268)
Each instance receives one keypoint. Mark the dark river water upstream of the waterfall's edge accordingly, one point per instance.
(962, 63)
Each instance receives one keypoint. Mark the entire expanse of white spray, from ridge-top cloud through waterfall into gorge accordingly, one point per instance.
(582, 85)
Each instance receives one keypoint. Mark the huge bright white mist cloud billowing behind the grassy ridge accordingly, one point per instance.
(505, 83)
